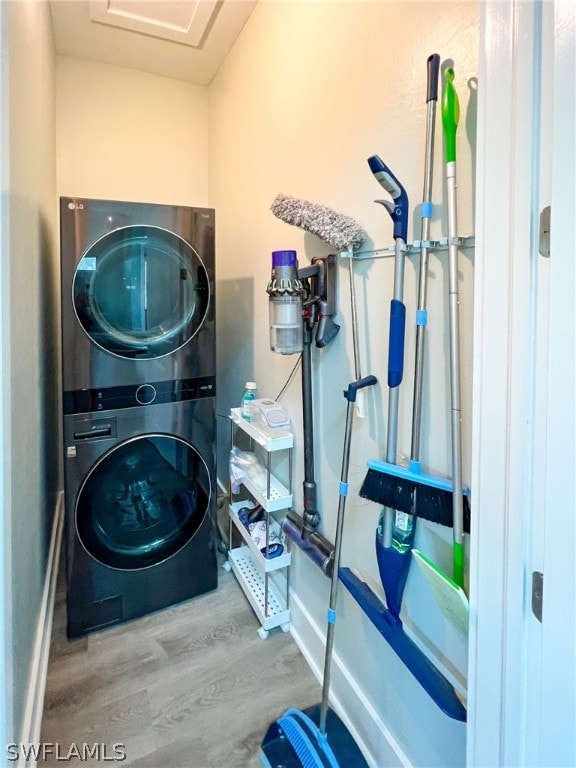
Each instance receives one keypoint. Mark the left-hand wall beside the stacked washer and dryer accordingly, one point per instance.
(29, 288)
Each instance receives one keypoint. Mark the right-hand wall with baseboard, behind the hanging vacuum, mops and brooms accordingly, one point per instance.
(309, 91)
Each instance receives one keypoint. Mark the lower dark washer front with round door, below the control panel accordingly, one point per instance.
(139, 510)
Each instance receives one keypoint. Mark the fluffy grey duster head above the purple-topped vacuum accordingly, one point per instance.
(341, 232)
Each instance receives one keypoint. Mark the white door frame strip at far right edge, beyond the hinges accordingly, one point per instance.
(557, 741)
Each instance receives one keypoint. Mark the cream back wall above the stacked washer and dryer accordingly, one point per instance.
(127, 135)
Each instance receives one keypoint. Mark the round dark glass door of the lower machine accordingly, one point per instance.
(142, 502)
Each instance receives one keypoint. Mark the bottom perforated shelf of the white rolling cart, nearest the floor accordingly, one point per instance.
(270, 608)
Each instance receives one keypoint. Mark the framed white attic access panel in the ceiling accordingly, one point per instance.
(184, 22)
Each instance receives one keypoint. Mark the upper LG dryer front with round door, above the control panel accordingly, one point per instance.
(137, 293)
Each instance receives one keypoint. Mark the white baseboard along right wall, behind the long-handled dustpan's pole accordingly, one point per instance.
(368, 730)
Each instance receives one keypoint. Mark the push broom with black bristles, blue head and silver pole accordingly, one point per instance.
(409, 489)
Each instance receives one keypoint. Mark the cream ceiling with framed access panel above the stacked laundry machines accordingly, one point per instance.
(187, 40)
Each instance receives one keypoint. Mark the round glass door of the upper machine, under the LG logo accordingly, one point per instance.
(140, 292)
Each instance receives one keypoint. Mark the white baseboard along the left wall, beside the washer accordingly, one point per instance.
(37, 683)
